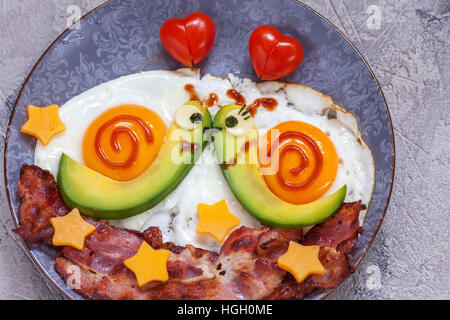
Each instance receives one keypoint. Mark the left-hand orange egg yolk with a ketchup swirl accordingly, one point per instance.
(123, 141)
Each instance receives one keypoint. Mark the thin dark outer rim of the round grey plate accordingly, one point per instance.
(63, 291)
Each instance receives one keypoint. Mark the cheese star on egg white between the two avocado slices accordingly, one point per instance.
(215, 220)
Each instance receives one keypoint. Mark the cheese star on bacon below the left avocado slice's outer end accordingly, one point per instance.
(71, 230)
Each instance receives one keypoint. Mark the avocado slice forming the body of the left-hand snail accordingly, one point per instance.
(98, 196)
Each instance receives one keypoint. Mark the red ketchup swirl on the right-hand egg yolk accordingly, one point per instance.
(304, 161)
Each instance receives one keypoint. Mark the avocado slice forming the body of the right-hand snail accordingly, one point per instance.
(242, 172)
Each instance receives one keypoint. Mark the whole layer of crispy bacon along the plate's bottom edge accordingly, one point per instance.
(245, 268)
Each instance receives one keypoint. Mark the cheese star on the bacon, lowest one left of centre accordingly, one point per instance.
(149, 264)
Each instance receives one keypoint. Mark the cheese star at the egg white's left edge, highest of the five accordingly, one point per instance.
(43, 123)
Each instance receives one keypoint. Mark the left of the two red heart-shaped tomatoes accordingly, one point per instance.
(189, 40)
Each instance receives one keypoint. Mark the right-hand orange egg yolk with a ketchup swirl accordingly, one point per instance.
(306, 162)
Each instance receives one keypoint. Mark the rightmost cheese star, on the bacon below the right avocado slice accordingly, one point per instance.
(301, 261)
